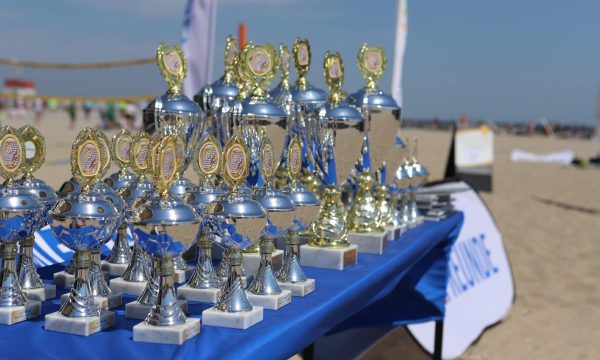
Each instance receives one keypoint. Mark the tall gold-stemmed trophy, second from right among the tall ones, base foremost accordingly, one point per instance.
(341, 139)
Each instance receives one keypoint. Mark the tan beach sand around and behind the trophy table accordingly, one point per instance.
(549, 217)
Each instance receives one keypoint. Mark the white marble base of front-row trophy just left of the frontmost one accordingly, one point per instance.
(83, 326)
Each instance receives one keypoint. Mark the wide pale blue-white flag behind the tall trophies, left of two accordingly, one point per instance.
(198, 43)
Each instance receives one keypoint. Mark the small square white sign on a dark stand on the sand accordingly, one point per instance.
(474, 147)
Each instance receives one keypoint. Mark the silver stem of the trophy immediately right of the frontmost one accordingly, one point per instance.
(234, 297)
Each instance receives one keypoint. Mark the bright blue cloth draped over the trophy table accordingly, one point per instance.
(406, 284)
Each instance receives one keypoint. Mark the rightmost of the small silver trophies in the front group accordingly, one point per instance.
(291, 276)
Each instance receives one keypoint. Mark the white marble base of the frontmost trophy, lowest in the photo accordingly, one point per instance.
(174, 334)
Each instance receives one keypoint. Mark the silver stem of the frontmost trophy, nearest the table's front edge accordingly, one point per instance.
(166, 311)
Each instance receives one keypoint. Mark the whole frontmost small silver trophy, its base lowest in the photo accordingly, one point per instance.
(165, 227)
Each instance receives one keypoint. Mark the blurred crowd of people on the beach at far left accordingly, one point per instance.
(113, 115)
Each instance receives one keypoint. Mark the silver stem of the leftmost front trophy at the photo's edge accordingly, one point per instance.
(10, 292)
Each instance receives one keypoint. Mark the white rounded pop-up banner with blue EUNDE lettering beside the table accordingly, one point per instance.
(480, 287)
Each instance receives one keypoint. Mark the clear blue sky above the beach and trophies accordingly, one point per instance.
(512, 60)
